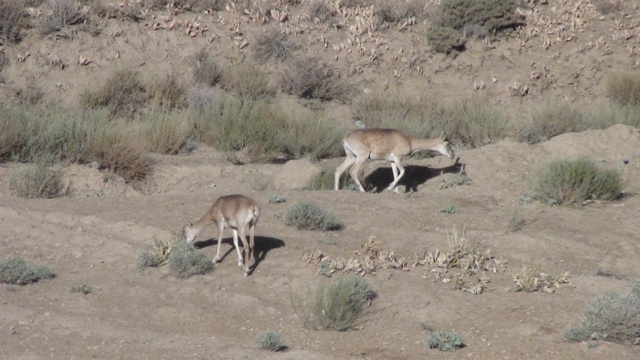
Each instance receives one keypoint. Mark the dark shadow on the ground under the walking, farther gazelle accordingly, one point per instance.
(414, 176)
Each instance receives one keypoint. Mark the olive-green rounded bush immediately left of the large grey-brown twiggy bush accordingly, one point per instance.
(248, 82)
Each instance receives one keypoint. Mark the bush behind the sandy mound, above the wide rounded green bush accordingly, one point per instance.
(549, 121)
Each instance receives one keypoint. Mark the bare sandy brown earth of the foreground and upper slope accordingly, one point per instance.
(94, 235)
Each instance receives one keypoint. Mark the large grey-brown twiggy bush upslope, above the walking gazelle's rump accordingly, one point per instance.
(312, 78)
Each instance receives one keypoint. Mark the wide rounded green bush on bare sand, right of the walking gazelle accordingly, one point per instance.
(575, 182)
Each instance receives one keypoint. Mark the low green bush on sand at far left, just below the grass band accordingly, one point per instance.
(37, 181)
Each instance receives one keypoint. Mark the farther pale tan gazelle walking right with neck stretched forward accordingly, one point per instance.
(384, 144)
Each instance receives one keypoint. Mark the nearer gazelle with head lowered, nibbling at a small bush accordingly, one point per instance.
(233, 211)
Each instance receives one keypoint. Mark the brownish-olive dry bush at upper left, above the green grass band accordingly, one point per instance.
(123, 93)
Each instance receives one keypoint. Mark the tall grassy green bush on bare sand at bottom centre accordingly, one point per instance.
(338, 304)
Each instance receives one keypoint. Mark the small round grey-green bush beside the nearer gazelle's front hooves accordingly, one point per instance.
(185, 261)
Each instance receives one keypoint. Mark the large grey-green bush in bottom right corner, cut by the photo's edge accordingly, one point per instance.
(611, 317)
